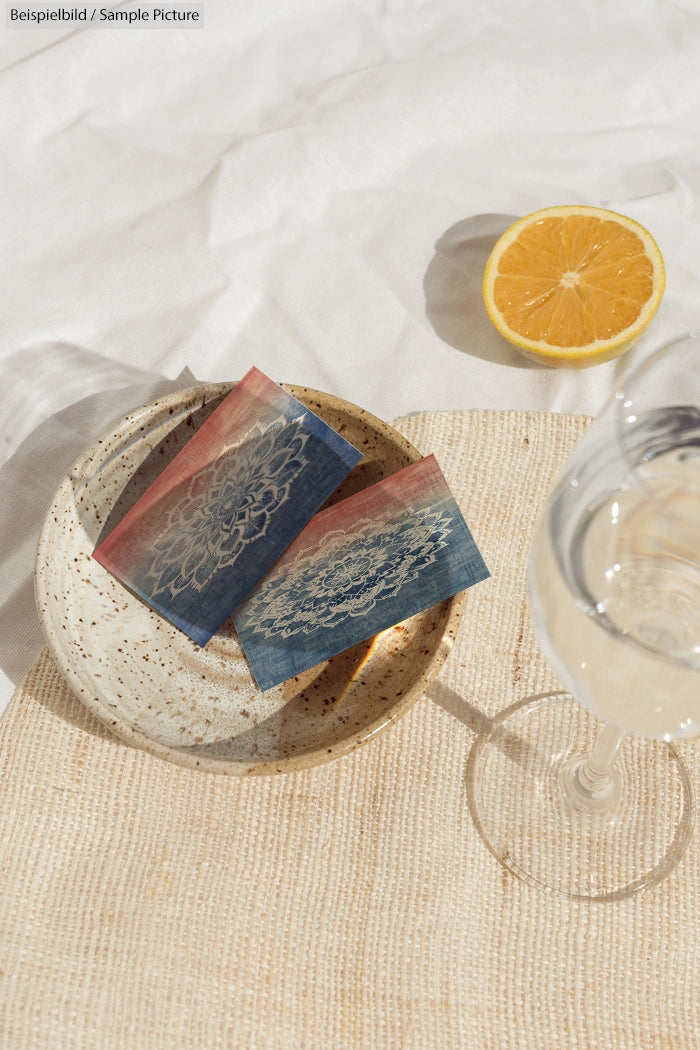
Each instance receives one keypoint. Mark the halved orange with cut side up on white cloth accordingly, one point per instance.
(575, 285)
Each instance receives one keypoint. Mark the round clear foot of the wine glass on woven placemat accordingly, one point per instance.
(624, 845)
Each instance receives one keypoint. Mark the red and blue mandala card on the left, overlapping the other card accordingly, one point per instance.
(227, 507)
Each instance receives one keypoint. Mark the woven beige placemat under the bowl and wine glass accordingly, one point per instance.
(143, 906)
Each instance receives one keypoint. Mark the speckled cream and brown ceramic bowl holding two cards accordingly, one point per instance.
(197, 707)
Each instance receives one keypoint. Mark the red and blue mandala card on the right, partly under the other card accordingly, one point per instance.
(358, 569)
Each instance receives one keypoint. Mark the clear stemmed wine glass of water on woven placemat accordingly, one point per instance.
(585, 792)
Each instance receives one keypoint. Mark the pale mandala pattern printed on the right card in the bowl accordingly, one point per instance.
(348, 574)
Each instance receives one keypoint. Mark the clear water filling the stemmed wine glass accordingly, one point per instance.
(616, 577)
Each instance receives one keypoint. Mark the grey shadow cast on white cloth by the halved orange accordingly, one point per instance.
(453, 289)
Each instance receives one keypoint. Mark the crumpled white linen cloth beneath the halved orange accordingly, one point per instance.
(314, 188)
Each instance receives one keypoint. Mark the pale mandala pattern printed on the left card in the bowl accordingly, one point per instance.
(227, 507)
